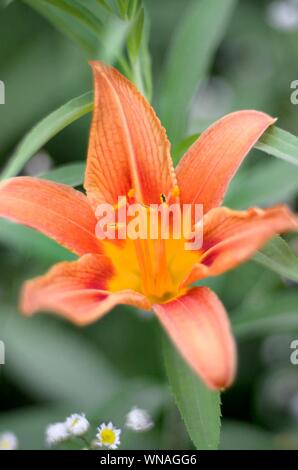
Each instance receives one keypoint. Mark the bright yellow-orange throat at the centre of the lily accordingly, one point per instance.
(155, 268)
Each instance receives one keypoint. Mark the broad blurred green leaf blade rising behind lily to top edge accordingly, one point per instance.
(191, 53)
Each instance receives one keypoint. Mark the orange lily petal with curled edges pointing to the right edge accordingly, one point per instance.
(231, 237)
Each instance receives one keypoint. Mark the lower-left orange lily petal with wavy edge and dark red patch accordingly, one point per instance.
(77, 290)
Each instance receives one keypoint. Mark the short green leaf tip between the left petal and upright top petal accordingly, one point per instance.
(71, 174)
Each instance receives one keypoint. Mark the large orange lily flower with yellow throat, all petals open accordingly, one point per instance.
(129, 154)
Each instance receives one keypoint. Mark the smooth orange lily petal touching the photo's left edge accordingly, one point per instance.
(56, 210)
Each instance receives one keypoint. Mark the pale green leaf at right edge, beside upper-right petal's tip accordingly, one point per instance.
(280, 144)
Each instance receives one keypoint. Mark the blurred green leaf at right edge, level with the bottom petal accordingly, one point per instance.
(279, 313)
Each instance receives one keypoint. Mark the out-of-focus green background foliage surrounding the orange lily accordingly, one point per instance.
(53, 368)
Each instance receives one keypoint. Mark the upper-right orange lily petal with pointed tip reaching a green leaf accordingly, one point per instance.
(206, 169)
